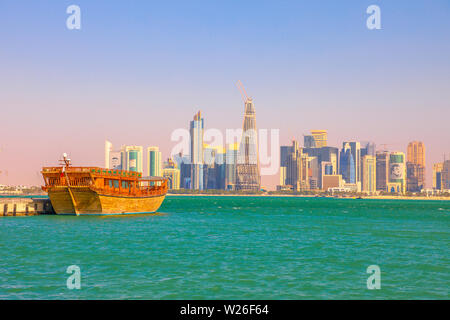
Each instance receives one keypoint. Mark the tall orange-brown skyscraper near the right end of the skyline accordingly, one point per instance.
(415, 166)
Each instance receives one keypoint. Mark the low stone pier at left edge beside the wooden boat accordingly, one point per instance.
(25, 206)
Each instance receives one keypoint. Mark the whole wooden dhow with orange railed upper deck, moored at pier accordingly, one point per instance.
(94, 190)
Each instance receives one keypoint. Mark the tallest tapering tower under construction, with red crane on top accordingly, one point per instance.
(248, 176)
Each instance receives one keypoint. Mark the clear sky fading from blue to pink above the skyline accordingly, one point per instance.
(137, 70)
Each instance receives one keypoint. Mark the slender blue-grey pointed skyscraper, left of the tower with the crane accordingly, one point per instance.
(196, 133)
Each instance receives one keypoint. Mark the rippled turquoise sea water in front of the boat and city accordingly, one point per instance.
(234, 248)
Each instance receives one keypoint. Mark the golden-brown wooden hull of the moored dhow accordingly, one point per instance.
(84, 201)
